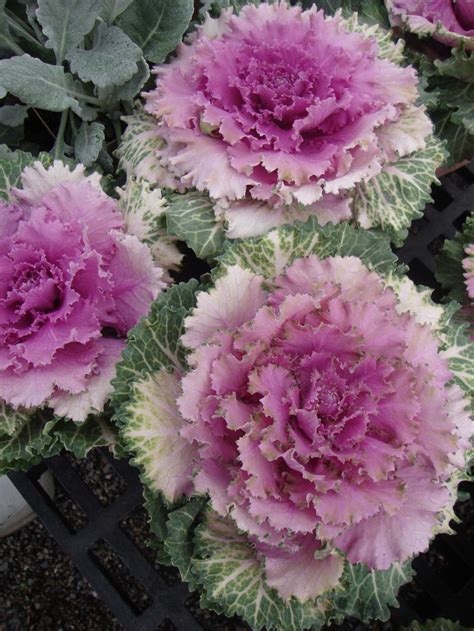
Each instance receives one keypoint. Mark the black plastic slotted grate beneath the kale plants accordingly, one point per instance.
(93, 525)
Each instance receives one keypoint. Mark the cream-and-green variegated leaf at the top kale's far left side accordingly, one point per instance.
(140, 143)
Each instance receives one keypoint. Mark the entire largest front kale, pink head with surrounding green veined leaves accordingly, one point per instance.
(301, 424)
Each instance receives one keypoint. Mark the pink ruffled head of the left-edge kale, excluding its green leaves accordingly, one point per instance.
(68, 273)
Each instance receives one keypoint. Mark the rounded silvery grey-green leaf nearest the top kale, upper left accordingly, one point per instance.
(111, 61)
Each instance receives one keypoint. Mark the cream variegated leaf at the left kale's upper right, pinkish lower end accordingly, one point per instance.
(143, 209)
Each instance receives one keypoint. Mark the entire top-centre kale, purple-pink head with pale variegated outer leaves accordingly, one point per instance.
(276, 114)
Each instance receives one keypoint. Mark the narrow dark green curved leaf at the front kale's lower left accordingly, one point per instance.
(179, 540)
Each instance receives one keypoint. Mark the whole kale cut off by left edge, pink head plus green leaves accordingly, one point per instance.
(78, 271)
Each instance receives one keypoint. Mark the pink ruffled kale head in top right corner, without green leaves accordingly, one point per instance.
(449, 21)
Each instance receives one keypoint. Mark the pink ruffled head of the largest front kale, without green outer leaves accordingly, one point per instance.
(322, 418)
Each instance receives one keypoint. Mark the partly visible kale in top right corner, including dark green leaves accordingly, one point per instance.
(442, 38)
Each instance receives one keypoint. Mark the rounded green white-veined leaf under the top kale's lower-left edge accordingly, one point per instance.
(191, 218)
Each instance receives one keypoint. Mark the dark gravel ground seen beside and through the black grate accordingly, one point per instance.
(40, 589)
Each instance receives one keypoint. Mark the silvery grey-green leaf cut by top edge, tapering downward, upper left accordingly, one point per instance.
(65, 22)
